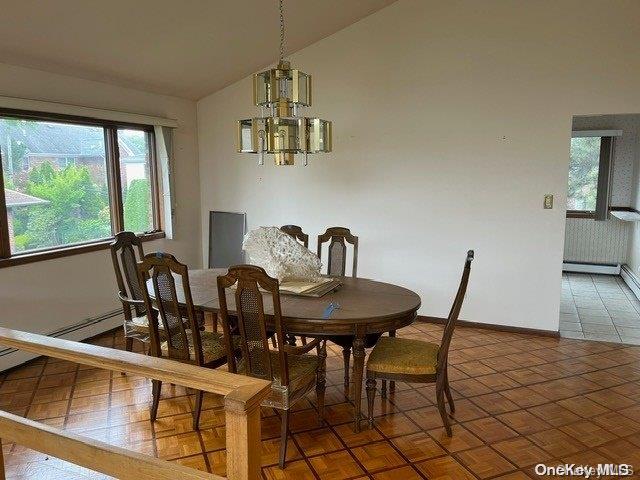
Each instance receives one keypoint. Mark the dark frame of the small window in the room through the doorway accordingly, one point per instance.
(603, 183)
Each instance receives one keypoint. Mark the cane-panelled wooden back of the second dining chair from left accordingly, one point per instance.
(163, 269)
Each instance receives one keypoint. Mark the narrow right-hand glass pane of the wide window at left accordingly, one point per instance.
(135, 173)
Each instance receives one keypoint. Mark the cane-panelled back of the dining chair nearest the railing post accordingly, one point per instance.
(249, 280)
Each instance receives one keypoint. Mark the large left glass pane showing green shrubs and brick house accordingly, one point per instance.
(55, 182)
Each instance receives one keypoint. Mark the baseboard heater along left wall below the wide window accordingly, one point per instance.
(90, 327)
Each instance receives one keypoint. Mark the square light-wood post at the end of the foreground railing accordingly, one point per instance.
(244, 450)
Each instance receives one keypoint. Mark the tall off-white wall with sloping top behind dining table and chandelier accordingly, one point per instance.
(451, 121)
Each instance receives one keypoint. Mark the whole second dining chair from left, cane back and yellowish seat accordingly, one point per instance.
(182, 340)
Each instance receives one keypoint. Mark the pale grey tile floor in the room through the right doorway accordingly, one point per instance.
(599, 307)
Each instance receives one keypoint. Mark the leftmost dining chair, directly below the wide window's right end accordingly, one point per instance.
(126, 250)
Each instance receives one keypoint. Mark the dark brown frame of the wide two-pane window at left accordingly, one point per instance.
(110, 128)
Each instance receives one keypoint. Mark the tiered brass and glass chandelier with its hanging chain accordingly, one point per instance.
(280, 93)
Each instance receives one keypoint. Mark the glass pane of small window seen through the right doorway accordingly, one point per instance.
(583, 173)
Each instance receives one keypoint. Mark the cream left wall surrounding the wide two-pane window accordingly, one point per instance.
(45, 296)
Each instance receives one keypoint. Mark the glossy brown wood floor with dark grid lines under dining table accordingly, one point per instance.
(520, 400)
